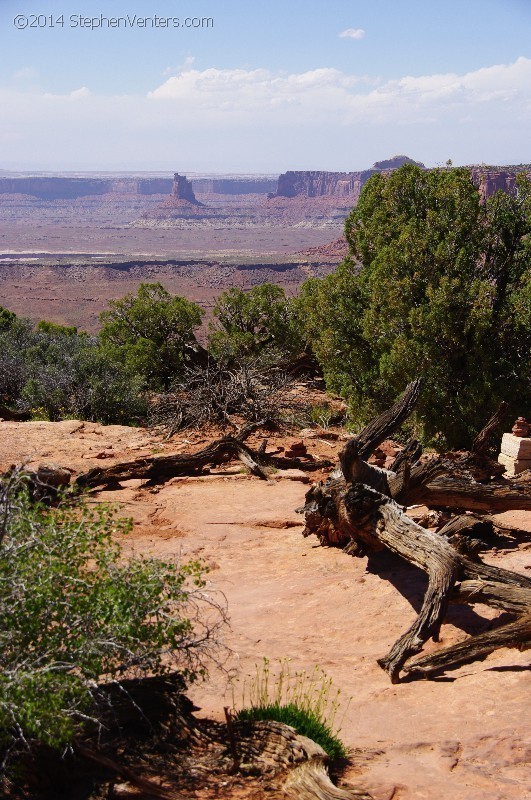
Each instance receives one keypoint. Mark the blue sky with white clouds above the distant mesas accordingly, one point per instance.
(268, 87)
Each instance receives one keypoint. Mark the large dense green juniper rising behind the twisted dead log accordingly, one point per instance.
(442, 291)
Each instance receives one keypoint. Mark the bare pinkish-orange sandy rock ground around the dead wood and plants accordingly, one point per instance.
(464, 735)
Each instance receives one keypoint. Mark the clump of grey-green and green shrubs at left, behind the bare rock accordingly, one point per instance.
(56, 372)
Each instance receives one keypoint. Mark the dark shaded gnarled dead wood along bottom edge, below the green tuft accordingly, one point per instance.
(151, 743)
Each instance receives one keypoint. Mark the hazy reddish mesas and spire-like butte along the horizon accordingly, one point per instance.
(306, 192)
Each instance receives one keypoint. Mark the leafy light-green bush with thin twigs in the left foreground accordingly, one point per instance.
(75, 613)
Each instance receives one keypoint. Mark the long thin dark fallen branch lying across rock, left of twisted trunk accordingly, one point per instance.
(161, 467)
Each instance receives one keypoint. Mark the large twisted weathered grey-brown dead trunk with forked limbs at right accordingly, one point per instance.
(358, 511)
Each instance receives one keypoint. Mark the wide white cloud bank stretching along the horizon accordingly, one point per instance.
(259, 120)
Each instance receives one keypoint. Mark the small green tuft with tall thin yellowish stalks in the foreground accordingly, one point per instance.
(305, 701)
